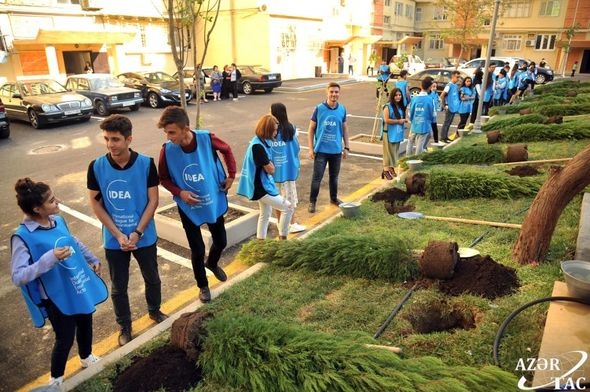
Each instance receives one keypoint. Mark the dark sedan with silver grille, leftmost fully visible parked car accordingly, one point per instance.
(44, 101)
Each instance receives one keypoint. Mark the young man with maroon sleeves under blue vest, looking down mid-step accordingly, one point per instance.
(191, 170)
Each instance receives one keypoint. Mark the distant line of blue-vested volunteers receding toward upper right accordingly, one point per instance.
(459, 97)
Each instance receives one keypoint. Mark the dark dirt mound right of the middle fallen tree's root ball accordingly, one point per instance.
(481, 276)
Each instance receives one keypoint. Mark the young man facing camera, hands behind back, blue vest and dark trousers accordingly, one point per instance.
(327, 129)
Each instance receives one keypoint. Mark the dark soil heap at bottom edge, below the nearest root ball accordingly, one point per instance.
(167, 368)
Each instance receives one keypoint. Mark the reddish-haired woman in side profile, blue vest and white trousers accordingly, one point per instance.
(257, 182)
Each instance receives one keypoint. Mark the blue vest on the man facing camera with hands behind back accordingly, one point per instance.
(328, 133)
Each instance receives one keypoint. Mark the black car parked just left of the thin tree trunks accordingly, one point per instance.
(157, 88)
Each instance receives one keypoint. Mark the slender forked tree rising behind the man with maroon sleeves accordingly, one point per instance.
(185, 19)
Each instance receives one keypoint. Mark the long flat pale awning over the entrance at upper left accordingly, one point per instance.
(54, 37)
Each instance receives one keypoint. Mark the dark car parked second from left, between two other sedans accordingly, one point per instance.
(105, 91)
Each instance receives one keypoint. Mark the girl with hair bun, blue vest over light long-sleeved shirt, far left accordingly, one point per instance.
(57, 274)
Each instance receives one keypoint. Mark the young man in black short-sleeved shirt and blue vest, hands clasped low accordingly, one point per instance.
(123, 187)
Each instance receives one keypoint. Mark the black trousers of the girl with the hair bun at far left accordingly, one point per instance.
(66, 328)
